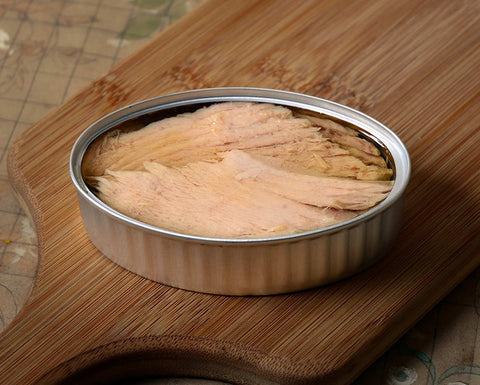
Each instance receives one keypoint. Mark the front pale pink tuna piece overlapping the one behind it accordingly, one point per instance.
(237, 197)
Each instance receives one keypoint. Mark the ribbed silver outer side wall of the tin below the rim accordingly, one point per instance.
(256, 269)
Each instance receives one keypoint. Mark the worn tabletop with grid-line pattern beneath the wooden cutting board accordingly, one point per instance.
(49, 50)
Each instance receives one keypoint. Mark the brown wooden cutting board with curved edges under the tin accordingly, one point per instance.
(413, 65)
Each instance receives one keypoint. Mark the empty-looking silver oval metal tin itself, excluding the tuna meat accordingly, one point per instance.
(243, 266)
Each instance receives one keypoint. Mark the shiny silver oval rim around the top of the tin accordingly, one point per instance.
(379, 131)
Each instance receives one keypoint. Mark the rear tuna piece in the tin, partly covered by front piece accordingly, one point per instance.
(304, 144)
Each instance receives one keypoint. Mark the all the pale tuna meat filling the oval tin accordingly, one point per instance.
(238, 170)
